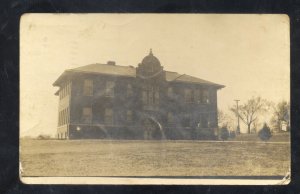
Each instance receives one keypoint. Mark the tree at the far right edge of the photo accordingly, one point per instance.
(281, 114)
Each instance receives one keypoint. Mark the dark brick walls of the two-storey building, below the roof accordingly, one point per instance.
(187, 117)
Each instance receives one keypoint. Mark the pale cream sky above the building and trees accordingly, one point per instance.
(249, 54)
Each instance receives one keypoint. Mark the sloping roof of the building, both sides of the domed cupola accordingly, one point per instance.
(130, 71)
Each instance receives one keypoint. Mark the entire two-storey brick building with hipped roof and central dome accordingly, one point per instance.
(124, 102)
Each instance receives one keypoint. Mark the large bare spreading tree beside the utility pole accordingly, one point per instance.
(249, 111)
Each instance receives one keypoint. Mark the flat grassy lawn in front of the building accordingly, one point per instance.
(155, 158)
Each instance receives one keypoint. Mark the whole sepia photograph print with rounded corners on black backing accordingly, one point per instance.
(176, 99)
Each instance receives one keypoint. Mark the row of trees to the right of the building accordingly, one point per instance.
(251, 111)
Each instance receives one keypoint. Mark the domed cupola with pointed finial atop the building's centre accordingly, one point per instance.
(150, 66)
